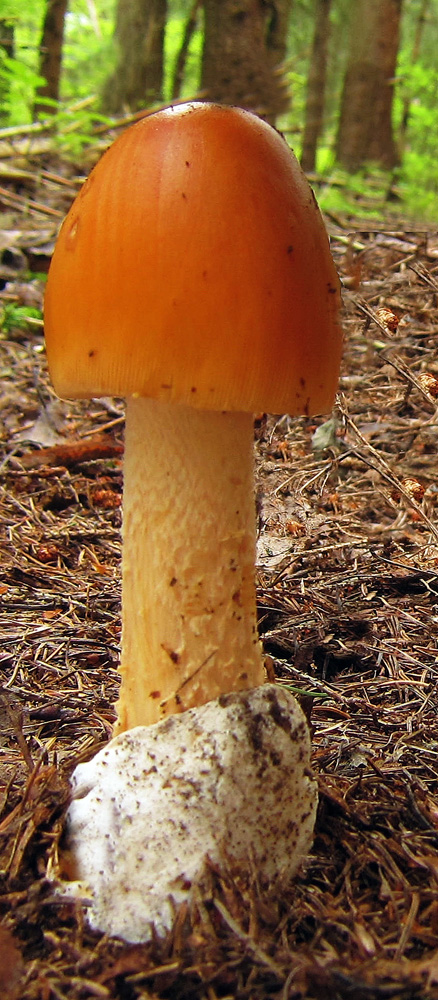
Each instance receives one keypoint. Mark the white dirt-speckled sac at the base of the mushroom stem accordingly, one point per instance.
(228, 781)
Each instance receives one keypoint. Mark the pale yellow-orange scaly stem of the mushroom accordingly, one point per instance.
(189, 610)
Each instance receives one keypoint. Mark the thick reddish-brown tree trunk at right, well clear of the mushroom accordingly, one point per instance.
(365, 127)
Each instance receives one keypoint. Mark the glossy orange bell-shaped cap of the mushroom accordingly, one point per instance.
(194, 267)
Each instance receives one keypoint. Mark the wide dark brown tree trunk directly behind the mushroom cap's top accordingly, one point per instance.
(244, 42)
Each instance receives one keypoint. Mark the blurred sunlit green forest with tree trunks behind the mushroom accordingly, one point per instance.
(352, 83)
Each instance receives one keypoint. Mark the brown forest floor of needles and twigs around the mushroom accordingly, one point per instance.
(348, 603)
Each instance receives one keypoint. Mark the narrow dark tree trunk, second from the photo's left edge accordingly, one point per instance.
(52, 38)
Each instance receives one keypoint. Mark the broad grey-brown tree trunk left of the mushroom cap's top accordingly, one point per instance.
(138, 79)
